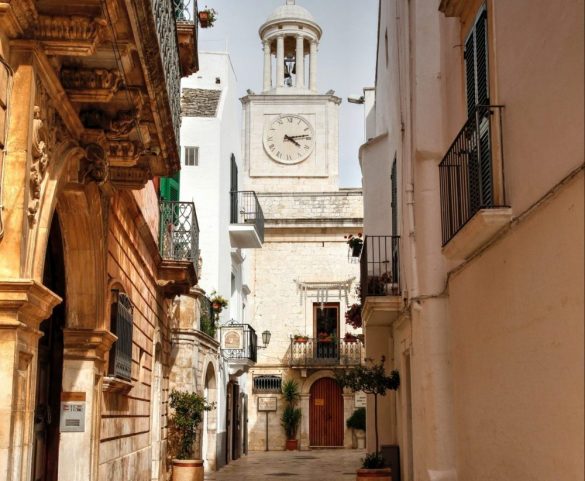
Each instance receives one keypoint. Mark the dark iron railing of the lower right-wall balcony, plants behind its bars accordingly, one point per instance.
(380, 266)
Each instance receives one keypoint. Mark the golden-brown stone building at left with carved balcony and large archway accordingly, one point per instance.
(89, 259)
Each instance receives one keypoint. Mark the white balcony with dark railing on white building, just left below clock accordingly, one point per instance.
(246, 221)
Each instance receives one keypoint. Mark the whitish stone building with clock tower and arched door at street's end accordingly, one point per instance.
(302, 280)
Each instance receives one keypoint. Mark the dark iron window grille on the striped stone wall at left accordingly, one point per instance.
(121, 325)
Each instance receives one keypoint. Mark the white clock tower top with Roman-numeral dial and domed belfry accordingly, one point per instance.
(291, 131)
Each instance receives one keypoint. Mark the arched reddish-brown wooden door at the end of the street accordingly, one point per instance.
(326, 413)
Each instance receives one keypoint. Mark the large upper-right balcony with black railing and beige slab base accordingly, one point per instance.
(472, 188)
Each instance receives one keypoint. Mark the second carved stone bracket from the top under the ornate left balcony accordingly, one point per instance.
(91, 85)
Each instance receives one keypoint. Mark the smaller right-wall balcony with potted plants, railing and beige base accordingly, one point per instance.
(380, 280)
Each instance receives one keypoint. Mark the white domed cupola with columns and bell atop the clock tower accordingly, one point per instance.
(289, 36)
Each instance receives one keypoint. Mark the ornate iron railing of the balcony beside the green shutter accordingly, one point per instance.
(179, 231)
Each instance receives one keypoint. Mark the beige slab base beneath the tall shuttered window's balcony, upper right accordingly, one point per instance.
(480, 229)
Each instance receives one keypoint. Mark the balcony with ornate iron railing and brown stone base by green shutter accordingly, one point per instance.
(178, 246)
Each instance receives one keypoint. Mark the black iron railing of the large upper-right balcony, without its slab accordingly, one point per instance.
(466, 172)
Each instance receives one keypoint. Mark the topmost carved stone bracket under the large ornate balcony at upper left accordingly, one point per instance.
(70, 35)
